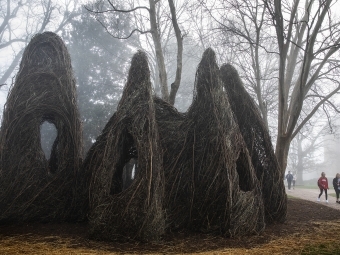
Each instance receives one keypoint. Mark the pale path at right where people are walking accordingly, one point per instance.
(312, 195)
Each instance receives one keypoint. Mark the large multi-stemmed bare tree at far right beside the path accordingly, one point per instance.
(307, 42)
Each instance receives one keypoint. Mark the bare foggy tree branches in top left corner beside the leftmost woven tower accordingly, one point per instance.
(23, 19)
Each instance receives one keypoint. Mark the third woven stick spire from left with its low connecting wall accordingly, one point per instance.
(211, 185)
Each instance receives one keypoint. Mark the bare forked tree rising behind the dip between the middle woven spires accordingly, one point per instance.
(162, 23)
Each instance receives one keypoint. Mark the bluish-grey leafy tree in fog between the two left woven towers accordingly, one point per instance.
(100, 64)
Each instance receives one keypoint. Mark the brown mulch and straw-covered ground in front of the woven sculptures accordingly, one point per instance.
(307, 224)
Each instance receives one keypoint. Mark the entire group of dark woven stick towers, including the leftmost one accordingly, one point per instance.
(211, 169)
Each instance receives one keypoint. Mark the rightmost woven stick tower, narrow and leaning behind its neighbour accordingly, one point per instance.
(258, 143)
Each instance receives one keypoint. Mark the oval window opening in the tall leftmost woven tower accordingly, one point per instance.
(48, 134)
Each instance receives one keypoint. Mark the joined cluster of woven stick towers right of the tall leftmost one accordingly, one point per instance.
(210, 183)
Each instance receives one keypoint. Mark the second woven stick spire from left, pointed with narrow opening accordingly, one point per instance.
(135, 212)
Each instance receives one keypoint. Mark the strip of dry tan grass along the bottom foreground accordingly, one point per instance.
(319, 238)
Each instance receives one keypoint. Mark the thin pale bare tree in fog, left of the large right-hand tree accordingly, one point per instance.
(241, 31)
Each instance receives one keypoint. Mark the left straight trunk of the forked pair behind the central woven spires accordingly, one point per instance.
(159, 53)
